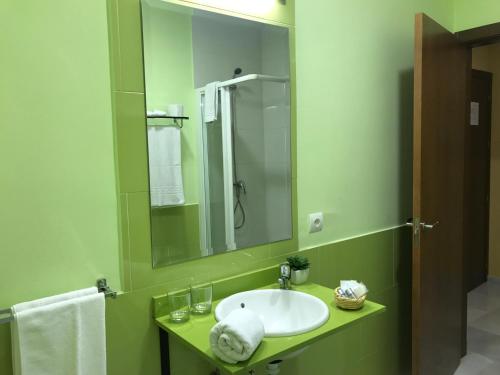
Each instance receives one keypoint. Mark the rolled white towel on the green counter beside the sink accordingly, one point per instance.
(236, 337)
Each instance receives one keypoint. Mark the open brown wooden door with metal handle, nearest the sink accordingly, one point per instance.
(440, 100)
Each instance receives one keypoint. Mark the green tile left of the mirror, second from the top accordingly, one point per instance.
(131, 139)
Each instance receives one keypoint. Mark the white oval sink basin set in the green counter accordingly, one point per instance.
(283, 312)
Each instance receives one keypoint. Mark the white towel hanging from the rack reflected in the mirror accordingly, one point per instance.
(165, 170)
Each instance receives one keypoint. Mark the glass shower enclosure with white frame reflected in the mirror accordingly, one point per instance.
(245, 174)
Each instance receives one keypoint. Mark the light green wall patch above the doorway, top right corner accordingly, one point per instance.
(470, 14)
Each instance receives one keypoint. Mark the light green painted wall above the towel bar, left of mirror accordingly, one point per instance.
(59, 224)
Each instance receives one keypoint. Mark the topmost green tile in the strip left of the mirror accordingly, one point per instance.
(130, 46)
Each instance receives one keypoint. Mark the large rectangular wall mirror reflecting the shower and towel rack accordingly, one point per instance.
(218, 102)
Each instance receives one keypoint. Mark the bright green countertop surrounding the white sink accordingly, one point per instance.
(195, 332)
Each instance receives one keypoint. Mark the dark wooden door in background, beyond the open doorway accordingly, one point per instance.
(477, 180)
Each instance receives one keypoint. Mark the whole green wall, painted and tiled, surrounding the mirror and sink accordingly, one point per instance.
(59, 203)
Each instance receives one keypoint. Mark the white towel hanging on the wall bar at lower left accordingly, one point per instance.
(60, 335)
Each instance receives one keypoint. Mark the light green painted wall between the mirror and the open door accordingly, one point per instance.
(354, 113)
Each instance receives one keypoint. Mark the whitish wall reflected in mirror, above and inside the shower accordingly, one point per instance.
(220, 45)
